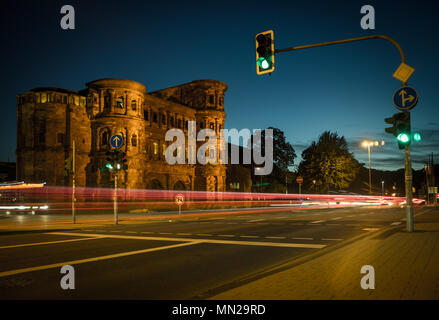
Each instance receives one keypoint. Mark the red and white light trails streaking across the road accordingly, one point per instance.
(50, 199)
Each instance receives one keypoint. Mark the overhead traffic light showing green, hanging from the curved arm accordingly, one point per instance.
(265, 52)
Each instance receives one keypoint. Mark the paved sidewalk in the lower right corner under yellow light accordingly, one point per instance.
(406, 267)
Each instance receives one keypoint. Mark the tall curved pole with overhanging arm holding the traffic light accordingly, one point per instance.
(408, 167)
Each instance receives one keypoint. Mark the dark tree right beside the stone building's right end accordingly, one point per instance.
(283, 159)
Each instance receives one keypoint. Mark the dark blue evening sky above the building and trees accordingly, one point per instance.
(344, 88)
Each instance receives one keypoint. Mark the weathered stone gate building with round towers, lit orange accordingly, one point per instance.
(50, 119)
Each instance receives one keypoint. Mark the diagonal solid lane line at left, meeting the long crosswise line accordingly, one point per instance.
(111, 256)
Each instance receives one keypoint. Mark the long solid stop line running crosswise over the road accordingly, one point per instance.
(245, 243)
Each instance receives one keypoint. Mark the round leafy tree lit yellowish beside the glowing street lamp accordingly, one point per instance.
(328, 162)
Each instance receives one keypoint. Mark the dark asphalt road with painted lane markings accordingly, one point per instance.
(187, 258)
